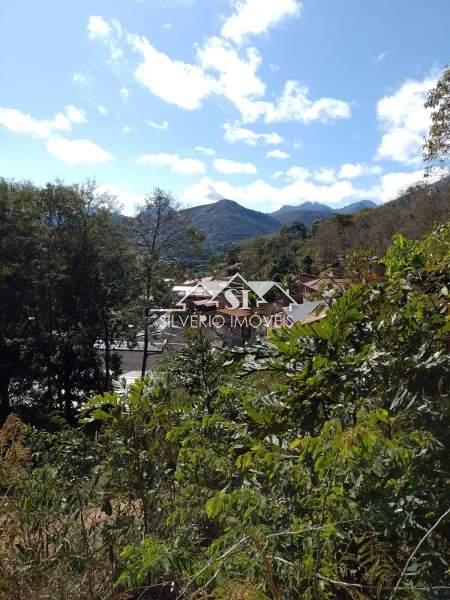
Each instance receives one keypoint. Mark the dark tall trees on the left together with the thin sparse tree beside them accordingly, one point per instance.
(74, 276)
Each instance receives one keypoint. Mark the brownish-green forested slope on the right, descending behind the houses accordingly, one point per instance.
(327, 244)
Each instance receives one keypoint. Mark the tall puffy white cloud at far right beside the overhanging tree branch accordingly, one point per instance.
(405, 121)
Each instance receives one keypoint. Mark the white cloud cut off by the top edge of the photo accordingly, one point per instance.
(257, 16)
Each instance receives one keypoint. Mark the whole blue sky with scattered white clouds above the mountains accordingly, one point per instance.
(267, 102)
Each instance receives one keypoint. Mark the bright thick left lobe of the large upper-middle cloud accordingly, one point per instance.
(173, 81)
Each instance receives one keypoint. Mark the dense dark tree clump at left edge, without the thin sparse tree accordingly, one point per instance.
(66, 281)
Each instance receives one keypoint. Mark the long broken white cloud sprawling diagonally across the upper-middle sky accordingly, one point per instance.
(221, 70)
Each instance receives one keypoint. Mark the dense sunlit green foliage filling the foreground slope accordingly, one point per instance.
(316, 466)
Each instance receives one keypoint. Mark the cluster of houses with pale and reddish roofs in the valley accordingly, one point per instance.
(235, 311)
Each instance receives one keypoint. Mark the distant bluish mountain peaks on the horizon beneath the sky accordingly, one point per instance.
(225, 222)
